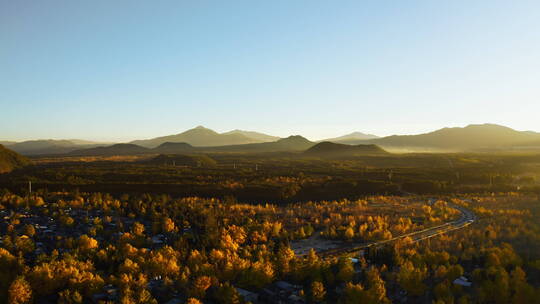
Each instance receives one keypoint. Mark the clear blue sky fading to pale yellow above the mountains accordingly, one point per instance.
(123, 70)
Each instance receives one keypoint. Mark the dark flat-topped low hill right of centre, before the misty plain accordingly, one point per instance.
(329, 149)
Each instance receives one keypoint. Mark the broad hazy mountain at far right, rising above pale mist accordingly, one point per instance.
(471, 137)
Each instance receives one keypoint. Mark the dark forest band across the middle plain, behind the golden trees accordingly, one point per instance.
(252, 179)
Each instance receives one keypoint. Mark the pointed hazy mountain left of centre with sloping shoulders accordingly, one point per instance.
(199, 137)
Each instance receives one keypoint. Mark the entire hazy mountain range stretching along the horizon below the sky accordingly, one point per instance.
(483, 137)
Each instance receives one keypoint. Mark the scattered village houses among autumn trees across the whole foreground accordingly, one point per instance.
(42, 232)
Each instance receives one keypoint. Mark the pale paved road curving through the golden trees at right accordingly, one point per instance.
(467, 217)
